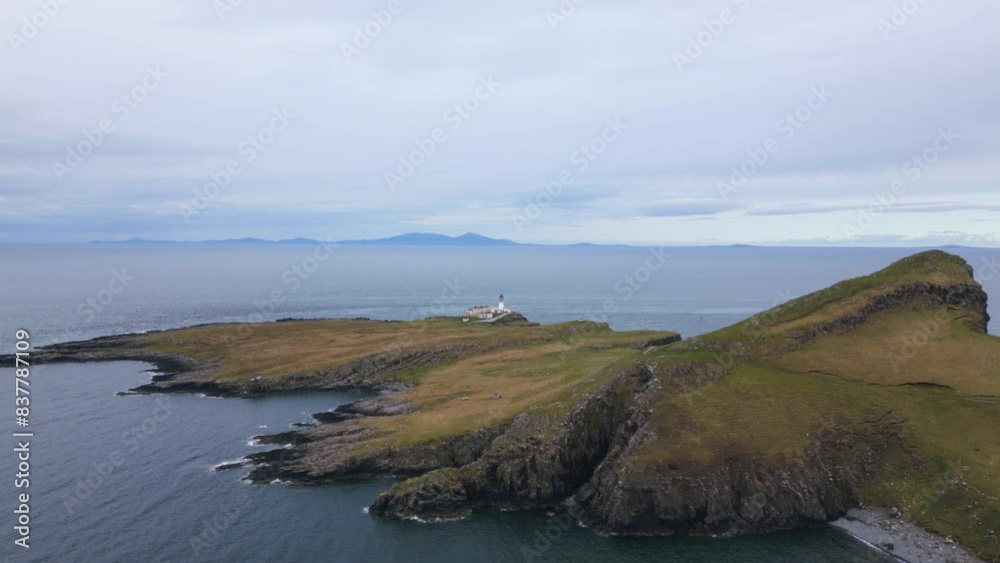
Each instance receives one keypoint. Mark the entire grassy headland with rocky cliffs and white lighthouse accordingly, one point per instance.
(881, 391)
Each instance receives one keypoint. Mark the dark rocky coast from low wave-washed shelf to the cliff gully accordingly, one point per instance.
(539, 458)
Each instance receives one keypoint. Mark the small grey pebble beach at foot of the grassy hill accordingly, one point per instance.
(901, 540)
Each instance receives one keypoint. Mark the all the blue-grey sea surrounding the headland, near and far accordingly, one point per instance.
(129, 478)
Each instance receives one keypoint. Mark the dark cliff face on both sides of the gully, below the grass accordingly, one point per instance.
(589, 457)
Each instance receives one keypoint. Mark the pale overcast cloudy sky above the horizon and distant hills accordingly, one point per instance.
(871, 121)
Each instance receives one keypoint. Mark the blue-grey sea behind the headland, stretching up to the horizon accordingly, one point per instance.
(65, 293)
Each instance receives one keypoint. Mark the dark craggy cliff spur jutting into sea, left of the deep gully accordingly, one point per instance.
(546, 457)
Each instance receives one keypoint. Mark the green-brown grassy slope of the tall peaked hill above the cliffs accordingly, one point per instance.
(895, 366)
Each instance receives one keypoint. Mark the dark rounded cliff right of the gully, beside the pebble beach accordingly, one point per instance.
(737, 495)
